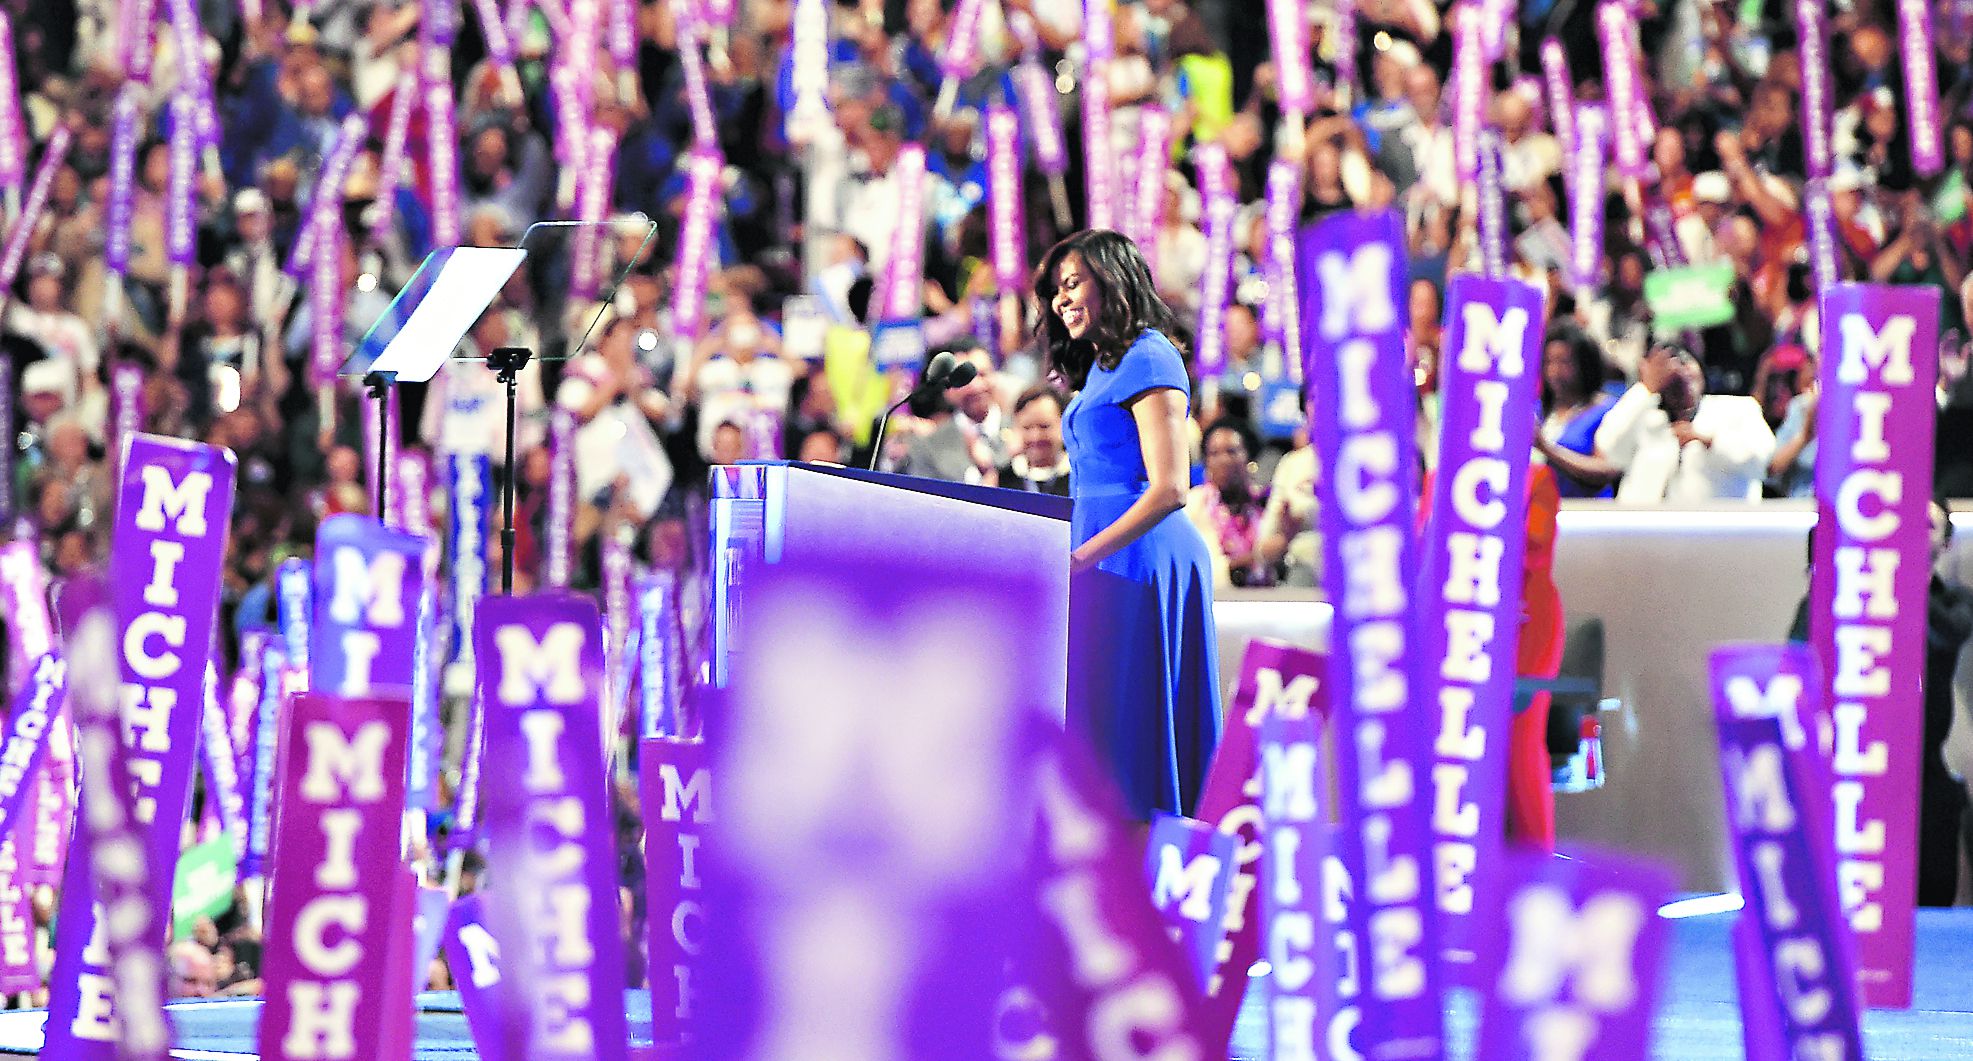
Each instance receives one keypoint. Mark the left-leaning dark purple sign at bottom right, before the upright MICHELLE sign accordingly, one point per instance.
(1804, 963)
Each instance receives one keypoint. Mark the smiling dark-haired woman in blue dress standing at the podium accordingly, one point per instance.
(1143, 666)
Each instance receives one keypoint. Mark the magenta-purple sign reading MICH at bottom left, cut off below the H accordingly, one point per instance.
(336, 877)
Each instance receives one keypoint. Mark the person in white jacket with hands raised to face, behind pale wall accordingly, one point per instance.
(1676, 443)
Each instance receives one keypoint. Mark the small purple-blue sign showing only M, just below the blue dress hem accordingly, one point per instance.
(1191, 869)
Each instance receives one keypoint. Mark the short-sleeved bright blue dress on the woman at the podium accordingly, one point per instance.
(1143, 662)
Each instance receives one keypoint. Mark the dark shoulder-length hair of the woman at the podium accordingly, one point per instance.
(1126, 307)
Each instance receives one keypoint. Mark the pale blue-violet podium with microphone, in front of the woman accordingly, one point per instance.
(768, 514)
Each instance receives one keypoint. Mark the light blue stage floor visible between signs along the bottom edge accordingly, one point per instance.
(1698, 1021)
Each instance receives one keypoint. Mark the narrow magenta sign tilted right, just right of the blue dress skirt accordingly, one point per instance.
(1276, 681)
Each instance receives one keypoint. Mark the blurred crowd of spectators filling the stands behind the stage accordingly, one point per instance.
(220, 348)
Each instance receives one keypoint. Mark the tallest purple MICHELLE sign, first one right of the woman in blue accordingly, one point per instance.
(1362, 405)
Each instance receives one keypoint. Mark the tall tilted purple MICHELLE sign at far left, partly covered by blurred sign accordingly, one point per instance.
(169, 545)
